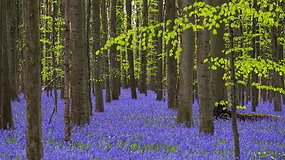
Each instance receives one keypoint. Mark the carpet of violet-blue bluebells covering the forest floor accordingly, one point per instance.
(145, 129)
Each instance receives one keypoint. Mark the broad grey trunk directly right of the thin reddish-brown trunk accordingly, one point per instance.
(80, 111)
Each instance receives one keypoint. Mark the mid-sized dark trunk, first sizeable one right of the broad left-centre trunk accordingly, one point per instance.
(98, 58)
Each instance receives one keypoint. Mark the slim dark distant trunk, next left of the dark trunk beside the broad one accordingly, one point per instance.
(159, 53)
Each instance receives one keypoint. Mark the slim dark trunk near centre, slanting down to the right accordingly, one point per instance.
(130, 51)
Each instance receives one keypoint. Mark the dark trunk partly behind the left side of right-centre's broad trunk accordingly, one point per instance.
(171, 61)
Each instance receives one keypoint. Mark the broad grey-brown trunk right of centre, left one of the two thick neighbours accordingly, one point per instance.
(185, 99)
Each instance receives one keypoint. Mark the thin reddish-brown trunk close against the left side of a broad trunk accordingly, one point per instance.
(67, 89)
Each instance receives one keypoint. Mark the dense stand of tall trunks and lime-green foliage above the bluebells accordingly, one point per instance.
(149, 44)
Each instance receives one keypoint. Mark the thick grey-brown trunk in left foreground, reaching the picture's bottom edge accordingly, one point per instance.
(32, 53)
